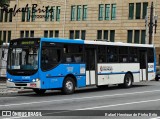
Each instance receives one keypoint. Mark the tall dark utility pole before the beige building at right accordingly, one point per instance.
(151, 24)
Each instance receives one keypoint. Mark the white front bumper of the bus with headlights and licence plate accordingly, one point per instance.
(23, 85)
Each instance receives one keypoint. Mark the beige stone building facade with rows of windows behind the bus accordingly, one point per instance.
(109, 20)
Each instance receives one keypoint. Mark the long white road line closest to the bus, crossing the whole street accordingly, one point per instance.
(72, 99)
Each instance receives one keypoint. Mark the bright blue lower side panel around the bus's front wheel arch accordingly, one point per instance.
(54, 78)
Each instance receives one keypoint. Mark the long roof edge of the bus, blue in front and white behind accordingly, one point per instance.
(80, 41)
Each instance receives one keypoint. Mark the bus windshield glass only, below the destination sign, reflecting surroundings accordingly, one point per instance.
(23, 58)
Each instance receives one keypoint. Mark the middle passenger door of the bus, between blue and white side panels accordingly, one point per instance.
(90, 66)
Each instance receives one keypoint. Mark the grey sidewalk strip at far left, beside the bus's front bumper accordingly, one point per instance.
(7, 91)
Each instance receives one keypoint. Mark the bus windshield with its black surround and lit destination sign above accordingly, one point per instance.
(23, 56)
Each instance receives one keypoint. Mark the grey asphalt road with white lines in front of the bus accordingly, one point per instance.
(142, 100)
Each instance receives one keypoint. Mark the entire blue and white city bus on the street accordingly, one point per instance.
(53, 63)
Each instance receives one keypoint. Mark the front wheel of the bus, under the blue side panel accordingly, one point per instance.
(68, 86)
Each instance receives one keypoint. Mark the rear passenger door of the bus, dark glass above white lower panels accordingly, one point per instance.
(143, 65)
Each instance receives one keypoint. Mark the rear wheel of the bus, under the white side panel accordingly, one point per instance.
(128, 79)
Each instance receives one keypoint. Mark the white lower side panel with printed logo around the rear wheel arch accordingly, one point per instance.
(115, 73)
